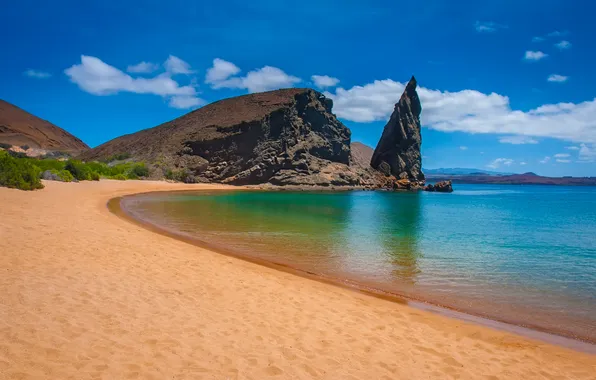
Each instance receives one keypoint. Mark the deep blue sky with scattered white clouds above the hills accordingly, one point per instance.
(505, 85)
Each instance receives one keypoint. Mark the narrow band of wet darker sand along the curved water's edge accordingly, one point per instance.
(116, 206)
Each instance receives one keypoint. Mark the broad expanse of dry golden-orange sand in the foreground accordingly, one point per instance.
(85, 294)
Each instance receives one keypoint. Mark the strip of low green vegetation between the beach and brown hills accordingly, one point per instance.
(21, 172)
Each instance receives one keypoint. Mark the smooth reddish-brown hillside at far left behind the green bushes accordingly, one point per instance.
(19, 127)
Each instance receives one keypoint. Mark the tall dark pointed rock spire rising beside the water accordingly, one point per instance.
(398, 151)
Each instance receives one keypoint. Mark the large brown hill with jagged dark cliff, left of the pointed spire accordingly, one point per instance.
(283, 137)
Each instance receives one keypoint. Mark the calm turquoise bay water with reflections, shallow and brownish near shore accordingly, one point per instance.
(520, 254)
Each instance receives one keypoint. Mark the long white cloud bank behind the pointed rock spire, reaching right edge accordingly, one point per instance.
(469, 111)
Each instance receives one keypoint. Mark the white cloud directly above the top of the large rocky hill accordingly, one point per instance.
(264, 79)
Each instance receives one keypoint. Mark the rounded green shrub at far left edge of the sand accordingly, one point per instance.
(19, 174)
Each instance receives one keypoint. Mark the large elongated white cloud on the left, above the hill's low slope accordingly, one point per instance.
(98, 78)
